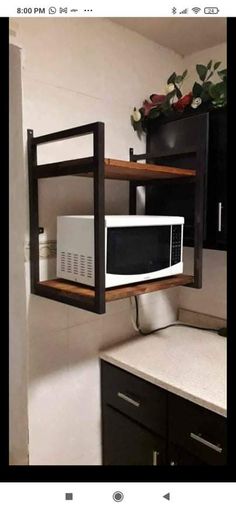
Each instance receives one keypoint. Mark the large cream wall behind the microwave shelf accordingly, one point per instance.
(76, 72)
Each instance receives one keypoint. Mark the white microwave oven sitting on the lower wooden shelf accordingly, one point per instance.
(137, 248)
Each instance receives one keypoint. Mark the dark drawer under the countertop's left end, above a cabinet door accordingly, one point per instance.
(136, 398)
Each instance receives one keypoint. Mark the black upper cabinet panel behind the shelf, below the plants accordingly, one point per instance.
(177, 143)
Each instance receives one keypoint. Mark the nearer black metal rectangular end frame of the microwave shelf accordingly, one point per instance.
(93, 164)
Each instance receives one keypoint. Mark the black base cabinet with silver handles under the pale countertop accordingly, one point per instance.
(143, 424)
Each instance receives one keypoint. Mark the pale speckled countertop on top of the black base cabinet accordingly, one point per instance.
(188, 362)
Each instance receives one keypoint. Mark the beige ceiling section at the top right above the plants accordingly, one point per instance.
(184, 36)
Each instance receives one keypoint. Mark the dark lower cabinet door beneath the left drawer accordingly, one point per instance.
(125, 442)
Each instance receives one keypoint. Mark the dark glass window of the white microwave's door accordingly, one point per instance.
(138, 250)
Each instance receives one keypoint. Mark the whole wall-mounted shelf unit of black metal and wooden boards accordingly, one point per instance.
(98, 168)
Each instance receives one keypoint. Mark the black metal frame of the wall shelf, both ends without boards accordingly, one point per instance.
(95, 164)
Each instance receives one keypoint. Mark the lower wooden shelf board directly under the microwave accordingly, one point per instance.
(65, 288)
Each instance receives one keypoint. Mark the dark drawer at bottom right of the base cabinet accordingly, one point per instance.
(200, 431)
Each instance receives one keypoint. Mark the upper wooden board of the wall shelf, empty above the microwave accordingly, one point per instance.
(114, 169)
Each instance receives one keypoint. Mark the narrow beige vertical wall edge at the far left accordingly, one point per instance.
(18, 335)
